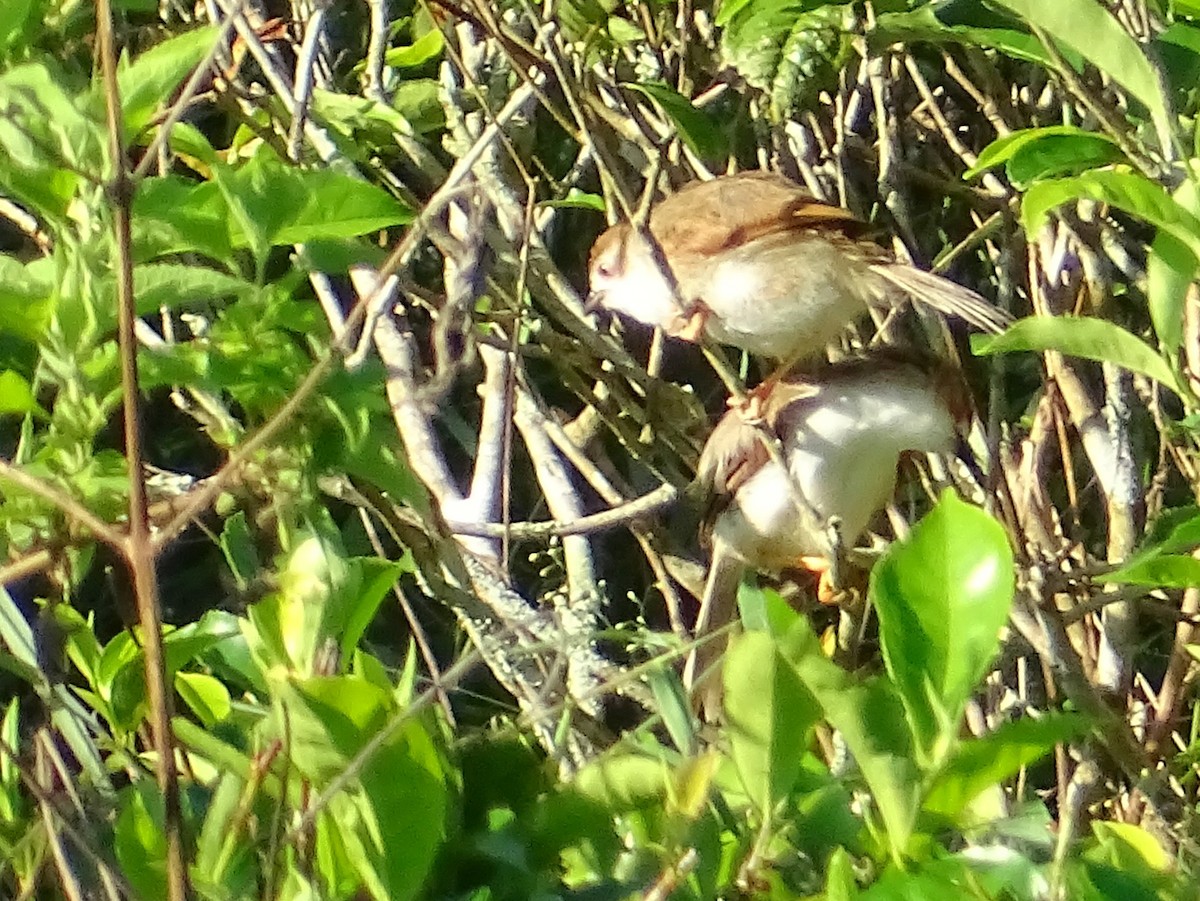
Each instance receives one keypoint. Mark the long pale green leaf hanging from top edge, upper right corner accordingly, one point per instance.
(1089, 29)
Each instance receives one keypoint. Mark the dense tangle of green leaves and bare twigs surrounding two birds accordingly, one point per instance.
(403, 510)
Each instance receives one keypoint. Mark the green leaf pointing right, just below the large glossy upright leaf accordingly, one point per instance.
(985, 762)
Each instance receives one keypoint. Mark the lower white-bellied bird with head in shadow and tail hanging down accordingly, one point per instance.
(841, 431)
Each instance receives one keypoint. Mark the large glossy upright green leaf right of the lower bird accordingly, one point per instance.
(943, 597)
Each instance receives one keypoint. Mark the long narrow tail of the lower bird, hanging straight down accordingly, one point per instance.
(718, 609)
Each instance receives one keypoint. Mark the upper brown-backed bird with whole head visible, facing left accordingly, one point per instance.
(763, 266)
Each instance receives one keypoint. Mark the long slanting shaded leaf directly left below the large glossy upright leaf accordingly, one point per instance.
(871, 719)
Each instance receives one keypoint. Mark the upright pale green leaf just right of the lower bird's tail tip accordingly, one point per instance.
(769, 714)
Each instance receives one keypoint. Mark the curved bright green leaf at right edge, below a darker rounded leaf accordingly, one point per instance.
(1127, 191)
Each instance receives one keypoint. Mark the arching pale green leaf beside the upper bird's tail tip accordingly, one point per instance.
(1078, 337)
